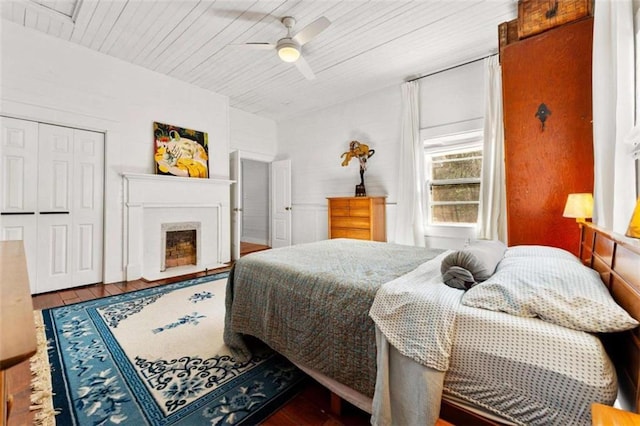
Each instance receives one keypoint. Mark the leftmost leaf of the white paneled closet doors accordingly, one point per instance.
(18, 195)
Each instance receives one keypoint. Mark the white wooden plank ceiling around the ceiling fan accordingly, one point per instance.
(368, 46)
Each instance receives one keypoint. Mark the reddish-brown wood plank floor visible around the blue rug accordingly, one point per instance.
(310, 407)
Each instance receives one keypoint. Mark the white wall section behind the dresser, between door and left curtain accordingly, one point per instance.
(315, 143)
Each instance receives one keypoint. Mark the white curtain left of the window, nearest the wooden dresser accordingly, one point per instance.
(409, 214)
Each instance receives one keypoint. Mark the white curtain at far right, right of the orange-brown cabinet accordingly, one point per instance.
(613, 113)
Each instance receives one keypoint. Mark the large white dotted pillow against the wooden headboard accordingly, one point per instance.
(556, 290)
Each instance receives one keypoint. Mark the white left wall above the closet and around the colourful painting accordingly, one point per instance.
(51, 80)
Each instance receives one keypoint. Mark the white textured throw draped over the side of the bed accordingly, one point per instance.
(415, 316)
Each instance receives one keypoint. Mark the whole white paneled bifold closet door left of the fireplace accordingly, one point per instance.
(53, 200)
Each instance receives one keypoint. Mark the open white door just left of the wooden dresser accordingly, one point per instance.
(280, 203)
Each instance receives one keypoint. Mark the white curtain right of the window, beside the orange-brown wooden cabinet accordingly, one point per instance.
(492, 214)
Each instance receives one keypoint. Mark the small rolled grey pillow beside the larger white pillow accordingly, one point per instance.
(464, 268)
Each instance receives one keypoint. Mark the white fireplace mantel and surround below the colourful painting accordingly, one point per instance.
(151, 200)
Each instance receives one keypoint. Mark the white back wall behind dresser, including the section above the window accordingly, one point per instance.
(451, 101)
